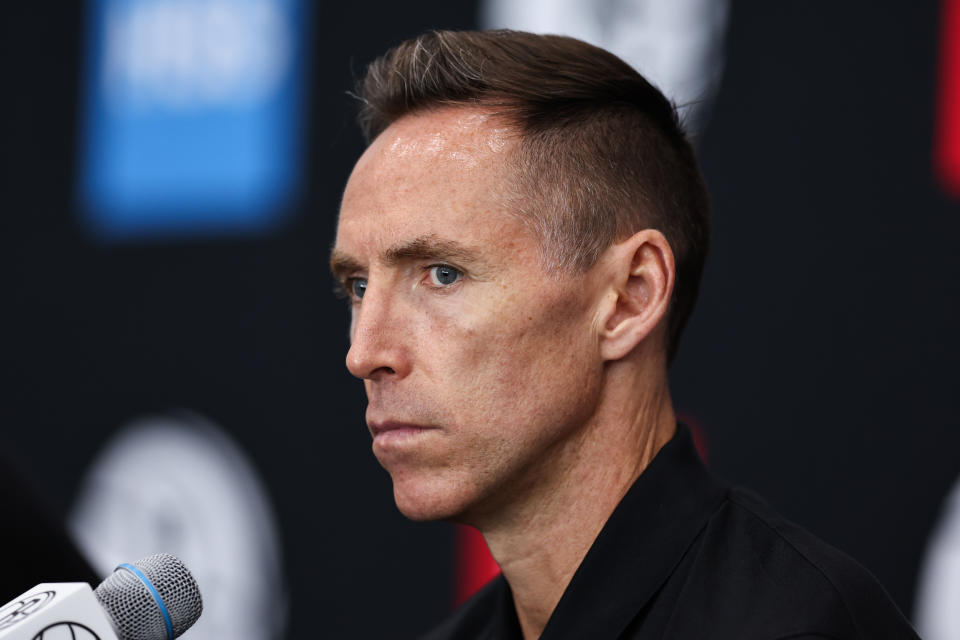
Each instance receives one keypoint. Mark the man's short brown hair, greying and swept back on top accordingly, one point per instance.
(602, 153)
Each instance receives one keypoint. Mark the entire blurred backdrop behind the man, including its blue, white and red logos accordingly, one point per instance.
(173, 353)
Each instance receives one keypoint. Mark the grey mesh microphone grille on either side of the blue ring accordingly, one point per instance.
(133, 608)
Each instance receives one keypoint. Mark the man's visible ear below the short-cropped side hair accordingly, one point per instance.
(641, 284)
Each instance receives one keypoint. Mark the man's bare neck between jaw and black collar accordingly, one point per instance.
(543, 540)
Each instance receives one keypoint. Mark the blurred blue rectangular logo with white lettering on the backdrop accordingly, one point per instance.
(192, 115)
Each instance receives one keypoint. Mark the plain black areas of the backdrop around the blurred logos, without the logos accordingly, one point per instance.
(820, 362)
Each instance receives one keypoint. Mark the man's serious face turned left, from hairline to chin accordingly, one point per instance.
(480, 366)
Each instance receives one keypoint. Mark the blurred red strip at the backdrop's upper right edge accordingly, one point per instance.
(947, 132)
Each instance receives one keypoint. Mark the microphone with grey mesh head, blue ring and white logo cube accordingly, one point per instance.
(155, 598)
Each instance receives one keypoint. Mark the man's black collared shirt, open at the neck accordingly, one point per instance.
(685, 556)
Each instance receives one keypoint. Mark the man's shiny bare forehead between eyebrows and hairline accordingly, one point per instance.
(442, 173)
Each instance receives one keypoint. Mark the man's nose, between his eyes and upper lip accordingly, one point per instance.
(377, 349)
